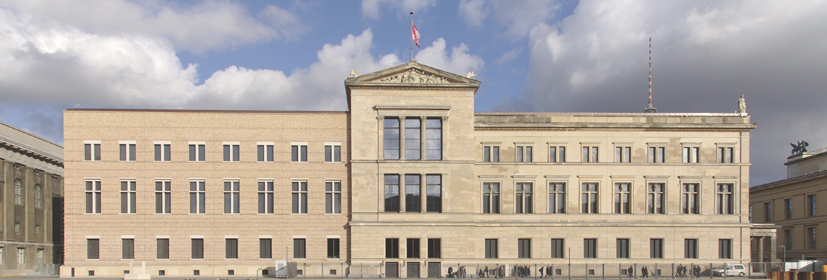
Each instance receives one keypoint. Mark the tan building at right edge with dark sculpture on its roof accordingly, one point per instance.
(793, 205)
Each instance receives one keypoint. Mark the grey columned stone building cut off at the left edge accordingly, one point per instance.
(31, 201)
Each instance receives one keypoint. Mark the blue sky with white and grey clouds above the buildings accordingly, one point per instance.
(540, 55)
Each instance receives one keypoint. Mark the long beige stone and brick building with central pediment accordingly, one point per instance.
(410, 178)
